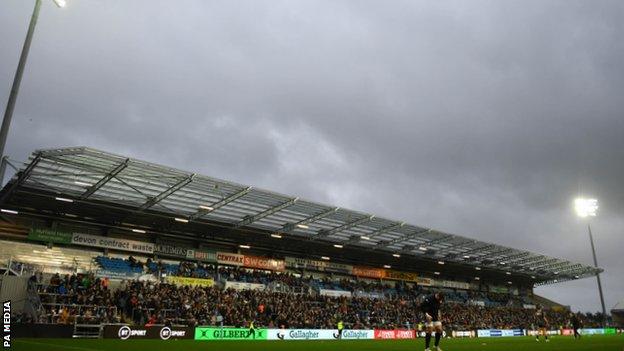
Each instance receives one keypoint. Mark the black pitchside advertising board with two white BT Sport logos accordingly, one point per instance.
(125, 332)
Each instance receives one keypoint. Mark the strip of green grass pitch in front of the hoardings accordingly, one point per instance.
(561, 343)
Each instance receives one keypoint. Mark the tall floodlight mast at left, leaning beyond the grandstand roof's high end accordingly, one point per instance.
(17, 80)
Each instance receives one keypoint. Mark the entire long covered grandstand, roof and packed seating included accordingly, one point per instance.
(101, 245)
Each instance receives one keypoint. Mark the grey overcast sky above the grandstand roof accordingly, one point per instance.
(480, 118)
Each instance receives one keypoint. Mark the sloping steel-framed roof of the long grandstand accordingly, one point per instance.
(92, 176)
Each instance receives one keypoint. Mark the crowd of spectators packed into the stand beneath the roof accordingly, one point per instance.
(86, 299)
